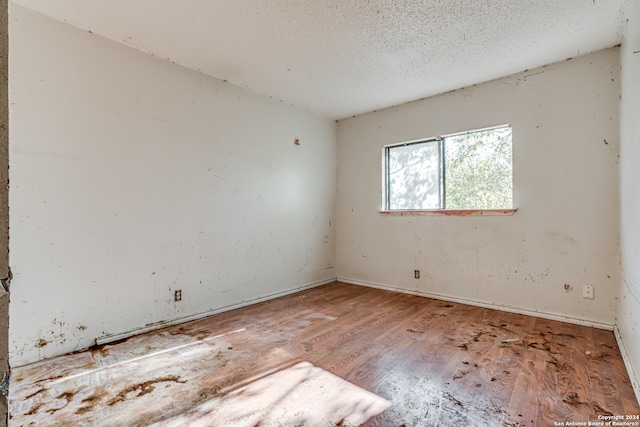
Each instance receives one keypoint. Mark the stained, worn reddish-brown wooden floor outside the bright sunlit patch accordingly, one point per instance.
(438, 363)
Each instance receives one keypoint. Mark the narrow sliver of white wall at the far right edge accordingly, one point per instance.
(628, 316)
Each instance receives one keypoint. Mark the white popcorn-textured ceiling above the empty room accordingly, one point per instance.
(340, 58)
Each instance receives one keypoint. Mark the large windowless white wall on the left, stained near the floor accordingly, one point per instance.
(132, 177)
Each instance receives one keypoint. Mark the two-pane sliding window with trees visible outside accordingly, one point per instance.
(465, 171)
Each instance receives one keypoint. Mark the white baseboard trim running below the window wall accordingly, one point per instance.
(509, 309)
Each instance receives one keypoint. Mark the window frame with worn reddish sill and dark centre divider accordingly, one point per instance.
(442, 177)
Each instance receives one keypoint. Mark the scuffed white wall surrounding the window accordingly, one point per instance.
(565, 144)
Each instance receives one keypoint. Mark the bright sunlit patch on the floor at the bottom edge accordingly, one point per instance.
(300, 395)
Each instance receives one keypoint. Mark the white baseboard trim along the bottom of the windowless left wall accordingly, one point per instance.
(165, 323)
